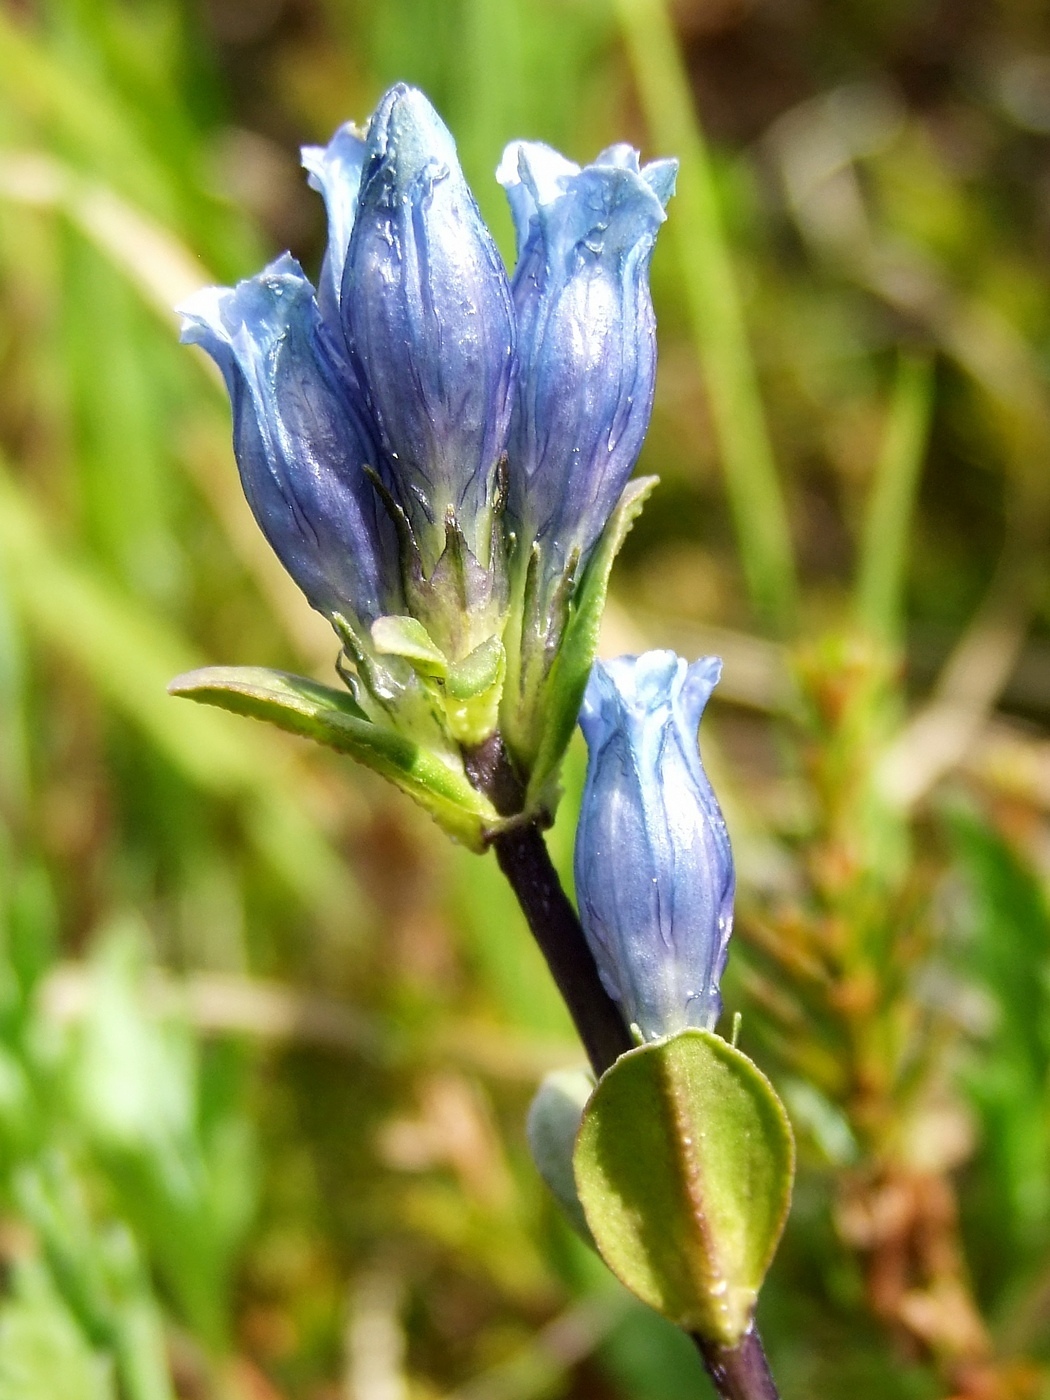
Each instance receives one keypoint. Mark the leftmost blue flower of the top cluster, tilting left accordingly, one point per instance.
(299, 440)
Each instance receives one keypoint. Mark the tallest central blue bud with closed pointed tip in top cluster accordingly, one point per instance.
(428, 314)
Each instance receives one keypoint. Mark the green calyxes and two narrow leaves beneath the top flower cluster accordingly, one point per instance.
(425, 694)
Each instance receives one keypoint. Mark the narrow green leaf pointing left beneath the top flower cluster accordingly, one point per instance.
(332, 717)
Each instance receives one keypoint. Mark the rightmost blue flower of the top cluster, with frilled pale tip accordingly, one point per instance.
(587, 345)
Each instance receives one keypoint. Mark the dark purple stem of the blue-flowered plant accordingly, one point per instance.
(738, 1373)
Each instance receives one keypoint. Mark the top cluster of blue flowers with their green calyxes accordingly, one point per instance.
(433, 449)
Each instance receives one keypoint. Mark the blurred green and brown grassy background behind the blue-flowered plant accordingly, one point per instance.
(267, 1038)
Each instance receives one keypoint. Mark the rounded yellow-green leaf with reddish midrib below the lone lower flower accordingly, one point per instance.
(684, 1168)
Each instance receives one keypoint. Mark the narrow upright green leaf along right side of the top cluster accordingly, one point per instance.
(563, 691)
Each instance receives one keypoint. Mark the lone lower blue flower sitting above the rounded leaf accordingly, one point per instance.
(654, 871)
